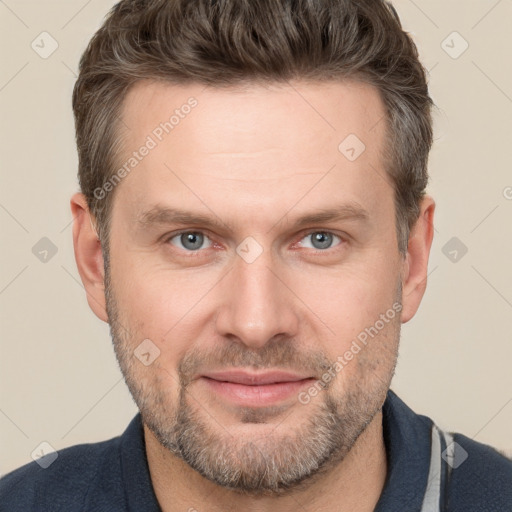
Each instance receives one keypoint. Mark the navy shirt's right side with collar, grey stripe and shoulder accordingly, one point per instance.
(461, 473)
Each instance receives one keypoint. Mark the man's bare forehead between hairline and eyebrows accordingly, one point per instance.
(256, 144)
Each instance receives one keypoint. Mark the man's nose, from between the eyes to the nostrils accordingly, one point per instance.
(256, 304)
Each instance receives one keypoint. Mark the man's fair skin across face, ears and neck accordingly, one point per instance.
(256, 159)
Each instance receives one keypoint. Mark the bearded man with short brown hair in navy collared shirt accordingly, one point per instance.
(254, 227)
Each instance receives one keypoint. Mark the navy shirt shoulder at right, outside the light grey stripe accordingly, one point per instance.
(480, 477)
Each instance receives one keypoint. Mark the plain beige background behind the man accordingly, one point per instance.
(59, 377)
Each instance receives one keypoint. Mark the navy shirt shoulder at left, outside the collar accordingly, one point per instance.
(65, 482)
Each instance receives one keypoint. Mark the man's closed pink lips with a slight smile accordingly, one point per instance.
(255, 389)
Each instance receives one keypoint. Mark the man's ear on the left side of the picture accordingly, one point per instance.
(88, 255)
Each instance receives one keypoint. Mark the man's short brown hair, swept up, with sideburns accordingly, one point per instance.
(227, 42)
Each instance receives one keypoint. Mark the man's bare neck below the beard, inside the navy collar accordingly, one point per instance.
(354, 484)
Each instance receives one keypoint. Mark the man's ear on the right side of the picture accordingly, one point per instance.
(414, 274)
